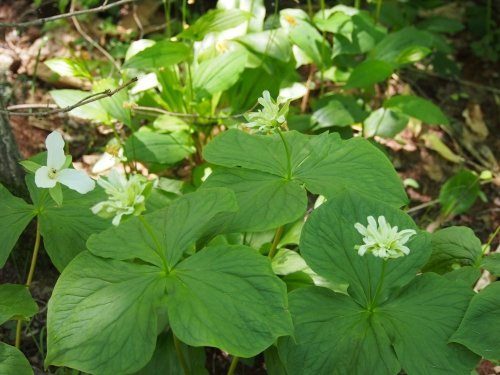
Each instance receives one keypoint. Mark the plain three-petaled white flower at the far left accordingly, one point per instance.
(57, 169)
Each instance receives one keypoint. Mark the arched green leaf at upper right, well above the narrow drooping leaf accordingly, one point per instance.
(394, 44)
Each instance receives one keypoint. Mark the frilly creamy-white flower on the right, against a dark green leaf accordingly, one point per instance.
(383, 241)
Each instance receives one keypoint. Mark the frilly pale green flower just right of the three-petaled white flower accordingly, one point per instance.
(126, 197)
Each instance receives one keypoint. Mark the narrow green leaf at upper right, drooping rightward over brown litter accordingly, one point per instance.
(417, 107)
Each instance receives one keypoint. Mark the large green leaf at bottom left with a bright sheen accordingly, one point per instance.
(102, 316)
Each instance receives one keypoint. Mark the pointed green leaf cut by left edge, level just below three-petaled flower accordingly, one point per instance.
(15, 214)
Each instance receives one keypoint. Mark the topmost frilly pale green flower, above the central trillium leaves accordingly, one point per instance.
(272, 115)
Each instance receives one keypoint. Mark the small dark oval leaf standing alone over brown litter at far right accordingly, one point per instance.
(459, 193)
